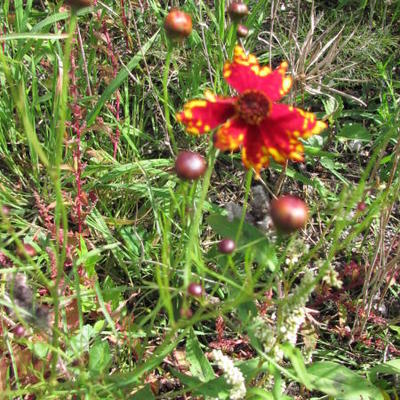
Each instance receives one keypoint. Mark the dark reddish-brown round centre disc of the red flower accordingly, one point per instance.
(253, 106)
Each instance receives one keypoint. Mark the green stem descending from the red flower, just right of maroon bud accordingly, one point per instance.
(194, 228)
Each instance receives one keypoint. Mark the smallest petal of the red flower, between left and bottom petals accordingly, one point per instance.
(230, 135)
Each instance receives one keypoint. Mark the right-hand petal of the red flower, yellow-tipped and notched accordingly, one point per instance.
(282, 129)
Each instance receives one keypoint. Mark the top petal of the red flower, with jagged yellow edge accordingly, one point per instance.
(245, 73)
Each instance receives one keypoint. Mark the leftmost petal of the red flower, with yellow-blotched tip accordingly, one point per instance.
(201, 116)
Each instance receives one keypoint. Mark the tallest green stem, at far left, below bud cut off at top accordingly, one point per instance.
(55, 173)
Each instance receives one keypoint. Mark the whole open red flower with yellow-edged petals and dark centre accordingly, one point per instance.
(253, 120)
